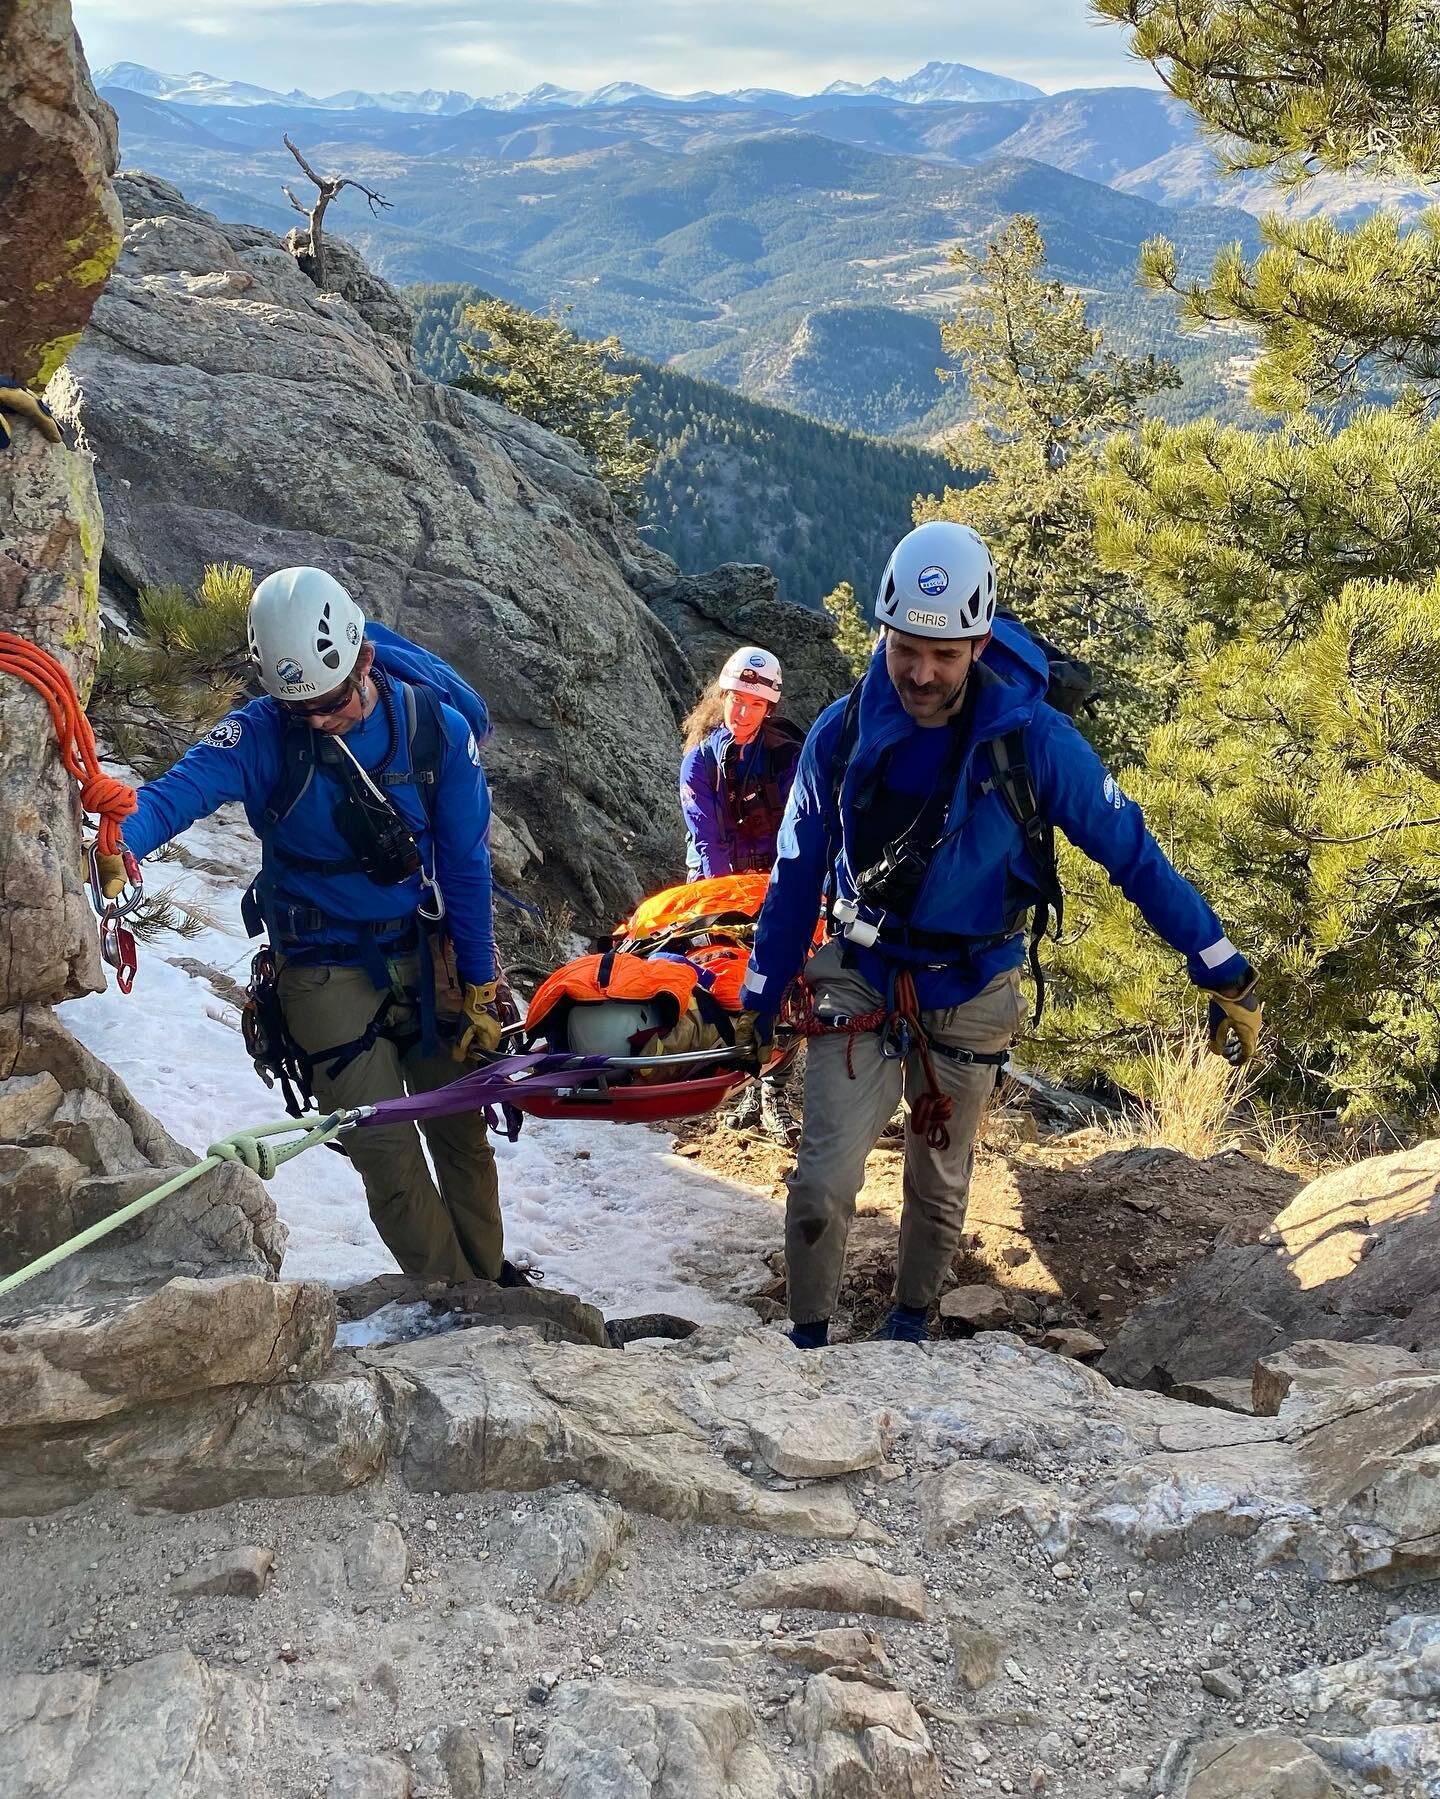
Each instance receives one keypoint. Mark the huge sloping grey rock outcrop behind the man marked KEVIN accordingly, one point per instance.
(462, 524)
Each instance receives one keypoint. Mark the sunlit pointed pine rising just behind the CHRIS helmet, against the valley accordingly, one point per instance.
(1047, 395)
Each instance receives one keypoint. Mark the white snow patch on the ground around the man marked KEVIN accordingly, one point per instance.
(606, 1210)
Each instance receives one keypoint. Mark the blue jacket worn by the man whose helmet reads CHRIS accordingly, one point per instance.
(982, 879)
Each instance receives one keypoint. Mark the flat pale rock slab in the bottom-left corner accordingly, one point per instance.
(166, 1728)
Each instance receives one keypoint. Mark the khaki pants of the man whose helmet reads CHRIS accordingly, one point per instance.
(845, 1118)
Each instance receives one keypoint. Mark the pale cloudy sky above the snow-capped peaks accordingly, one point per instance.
(323, 46)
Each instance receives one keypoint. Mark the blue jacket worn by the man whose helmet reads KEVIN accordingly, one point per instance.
(244, 760)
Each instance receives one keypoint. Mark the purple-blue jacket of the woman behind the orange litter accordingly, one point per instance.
(728, 834)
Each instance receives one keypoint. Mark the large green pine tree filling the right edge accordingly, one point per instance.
(1299, 780)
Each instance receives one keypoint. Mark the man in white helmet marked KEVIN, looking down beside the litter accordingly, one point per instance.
(361, 774)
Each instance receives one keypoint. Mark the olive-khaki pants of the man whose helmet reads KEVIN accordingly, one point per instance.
(449, 1235)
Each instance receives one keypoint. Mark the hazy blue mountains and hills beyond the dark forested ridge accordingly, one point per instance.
(795, 260)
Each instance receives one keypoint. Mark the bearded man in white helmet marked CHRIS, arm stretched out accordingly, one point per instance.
(924, 810)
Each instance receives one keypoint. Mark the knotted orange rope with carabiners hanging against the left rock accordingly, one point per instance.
(109, 800)
